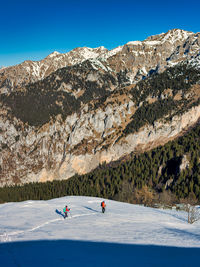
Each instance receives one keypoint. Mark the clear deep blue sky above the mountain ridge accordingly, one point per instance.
(33, 29)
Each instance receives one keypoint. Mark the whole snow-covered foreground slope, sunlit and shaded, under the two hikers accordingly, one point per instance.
(126, 235)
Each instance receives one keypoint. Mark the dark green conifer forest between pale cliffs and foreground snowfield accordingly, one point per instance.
(154, 176)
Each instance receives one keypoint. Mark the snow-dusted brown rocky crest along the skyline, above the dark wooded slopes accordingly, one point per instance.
(137, 57)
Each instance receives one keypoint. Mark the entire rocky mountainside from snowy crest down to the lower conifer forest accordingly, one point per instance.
(71, 112)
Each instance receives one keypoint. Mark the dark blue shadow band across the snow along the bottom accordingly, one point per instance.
(94, 254)
